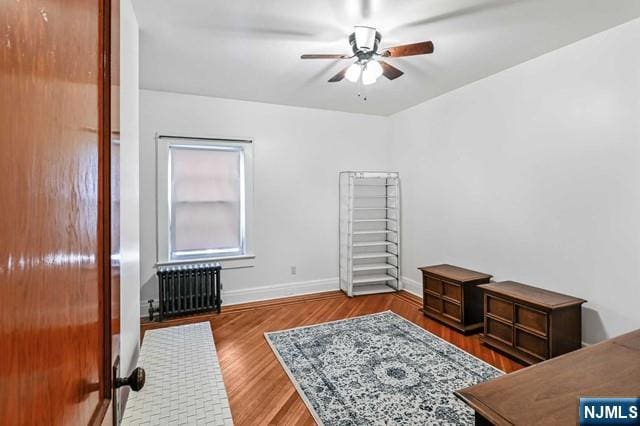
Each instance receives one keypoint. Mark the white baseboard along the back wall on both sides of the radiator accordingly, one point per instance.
(269, 292)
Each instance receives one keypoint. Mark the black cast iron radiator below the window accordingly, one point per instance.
(186, 289)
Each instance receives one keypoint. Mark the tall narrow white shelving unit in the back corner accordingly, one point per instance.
(369, 232)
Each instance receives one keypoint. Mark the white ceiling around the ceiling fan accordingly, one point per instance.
(250, 49)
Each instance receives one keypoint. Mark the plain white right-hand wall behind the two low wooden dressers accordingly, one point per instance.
(532, 174)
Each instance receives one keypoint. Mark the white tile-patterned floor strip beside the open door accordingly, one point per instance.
(183, 382)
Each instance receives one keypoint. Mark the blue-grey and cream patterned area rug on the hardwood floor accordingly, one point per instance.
(378, 369)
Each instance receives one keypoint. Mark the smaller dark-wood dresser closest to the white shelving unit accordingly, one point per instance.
(451, 295)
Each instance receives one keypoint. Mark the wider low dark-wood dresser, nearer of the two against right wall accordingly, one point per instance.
(529, 323)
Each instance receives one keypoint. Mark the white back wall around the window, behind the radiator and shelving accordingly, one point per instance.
(298, 153)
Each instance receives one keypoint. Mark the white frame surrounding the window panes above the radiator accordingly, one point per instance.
(166, 232)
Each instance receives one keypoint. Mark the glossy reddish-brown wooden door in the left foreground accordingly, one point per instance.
(55, 246)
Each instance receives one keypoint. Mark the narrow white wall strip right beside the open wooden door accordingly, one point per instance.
(129, 190)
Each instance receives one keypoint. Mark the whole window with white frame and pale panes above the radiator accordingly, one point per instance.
(204, 199)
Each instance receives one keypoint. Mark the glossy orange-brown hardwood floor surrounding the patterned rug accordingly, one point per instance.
(259, 390)
